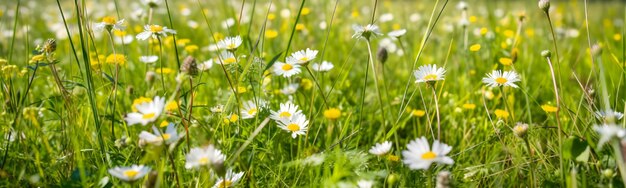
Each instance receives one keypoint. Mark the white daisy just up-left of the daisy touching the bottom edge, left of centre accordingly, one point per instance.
(204, 156)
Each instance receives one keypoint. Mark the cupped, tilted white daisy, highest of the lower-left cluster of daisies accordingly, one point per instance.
(146, 112)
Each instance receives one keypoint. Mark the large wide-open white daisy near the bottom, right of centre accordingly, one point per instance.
(420, 156)
